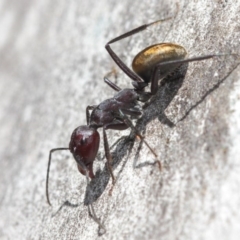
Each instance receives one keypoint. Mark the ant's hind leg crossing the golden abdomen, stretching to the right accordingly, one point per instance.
(174, 64)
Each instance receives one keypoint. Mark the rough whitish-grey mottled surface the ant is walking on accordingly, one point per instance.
(52, 63)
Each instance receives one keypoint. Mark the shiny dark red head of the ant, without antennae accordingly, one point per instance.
(84, 146)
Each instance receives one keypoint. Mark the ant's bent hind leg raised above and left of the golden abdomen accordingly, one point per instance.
(117, 60)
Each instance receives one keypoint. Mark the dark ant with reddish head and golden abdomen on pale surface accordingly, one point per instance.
(152, 64)
